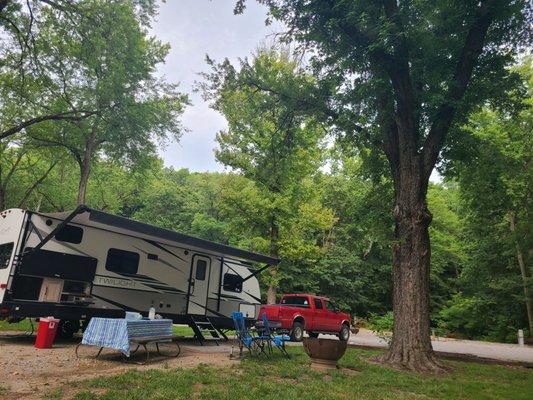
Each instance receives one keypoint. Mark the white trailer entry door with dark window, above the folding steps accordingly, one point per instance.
(199, 285)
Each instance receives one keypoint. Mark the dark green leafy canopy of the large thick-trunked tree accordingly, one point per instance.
(361, 47)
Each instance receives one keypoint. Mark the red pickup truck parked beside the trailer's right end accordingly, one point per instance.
(314, 314)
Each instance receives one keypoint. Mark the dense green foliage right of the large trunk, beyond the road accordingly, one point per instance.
(494, 175)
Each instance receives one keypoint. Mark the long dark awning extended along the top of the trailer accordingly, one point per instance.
(89, 217)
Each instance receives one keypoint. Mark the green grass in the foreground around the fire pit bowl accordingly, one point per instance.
(279, 378)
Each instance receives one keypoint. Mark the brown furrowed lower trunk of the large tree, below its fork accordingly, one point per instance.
(411, 345)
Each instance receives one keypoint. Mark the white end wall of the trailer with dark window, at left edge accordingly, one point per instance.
(11, 222)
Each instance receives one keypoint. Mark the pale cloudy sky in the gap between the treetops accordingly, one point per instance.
(194, 28)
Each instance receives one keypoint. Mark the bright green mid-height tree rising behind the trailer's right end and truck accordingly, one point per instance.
(279, 149)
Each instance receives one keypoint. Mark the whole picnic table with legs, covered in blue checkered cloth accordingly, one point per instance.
(121, 334)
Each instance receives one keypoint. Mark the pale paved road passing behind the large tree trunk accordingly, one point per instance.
(498, 351)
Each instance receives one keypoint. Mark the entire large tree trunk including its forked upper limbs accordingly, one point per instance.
(412, 157)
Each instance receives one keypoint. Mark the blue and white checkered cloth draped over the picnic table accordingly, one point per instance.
(115, 333)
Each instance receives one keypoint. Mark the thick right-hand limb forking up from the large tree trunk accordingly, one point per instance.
(472, 48)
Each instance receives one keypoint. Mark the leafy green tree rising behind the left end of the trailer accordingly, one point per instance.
(100, 62)
